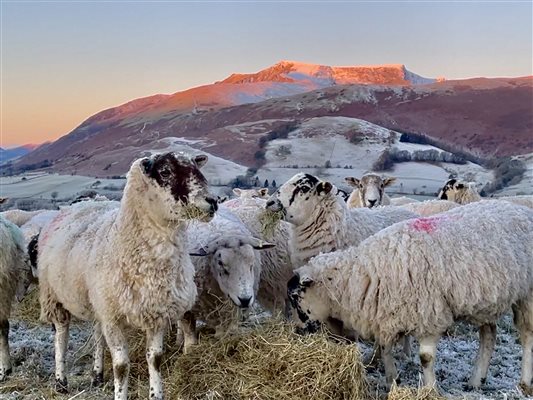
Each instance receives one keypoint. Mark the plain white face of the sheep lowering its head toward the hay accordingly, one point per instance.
(233, 265)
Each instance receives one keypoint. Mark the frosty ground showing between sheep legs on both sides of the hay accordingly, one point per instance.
(33, 356)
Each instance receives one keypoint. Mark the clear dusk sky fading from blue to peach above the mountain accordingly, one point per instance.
(64, 61)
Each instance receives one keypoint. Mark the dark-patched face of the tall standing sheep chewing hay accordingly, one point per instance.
(177, 184)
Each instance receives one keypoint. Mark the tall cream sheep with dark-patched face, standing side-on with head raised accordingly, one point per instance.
(125, 264)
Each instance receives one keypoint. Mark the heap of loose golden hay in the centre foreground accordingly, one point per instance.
(268, 362)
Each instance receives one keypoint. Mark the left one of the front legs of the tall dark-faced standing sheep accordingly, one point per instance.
(118, 346)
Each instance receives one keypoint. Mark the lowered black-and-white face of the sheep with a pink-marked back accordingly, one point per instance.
(311, 307)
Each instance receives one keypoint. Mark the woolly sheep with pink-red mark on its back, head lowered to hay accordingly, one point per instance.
(419, 276)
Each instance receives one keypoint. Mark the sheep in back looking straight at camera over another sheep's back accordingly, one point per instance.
(369, 191)
